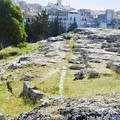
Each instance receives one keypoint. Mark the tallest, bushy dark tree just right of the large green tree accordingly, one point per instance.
(40, 25)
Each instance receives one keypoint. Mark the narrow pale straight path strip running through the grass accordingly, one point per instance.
(61, 85)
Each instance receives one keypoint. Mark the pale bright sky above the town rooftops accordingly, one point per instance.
(84, 4)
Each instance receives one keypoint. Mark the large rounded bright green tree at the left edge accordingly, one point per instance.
(11, 24)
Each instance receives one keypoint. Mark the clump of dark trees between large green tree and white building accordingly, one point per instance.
(41, 28)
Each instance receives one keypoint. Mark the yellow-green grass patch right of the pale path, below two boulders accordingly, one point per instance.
(90, 88)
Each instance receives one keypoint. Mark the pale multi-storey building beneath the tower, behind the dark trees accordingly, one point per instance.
(59, 11)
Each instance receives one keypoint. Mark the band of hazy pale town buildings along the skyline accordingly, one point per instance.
(67, 15)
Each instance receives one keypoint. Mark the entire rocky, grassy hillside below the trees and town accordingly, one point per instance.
(77, 74)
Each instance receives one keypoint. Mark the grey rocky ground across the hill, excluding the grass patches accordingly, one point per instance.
(89, 53)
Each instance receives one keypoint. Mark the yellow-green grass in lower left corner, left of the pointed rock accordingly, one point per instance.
(10, 104)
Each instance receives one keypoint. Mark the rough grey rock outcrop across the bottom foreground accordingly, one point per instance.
(76, 109)
